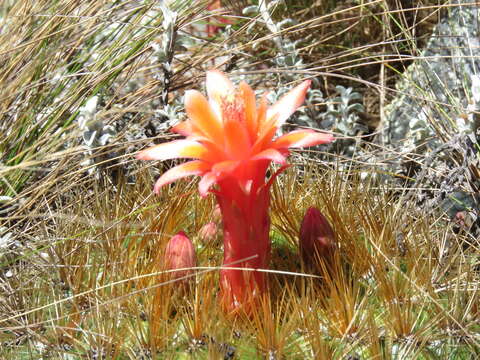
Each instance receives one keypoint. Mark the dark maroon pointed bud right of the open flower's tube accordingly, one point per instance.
(316, 236)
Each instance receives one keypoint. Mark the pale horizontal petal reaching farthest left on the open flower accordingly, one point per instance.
(174, 149)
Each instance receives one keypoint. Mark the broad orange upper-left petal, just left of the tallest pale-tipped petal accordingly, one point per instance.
(202, 117)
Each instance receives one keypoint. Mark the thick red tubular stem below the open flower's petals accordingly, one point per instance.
(246, 226)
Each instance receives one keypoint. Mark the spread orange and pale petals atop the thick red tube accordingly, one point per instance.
(228, 135)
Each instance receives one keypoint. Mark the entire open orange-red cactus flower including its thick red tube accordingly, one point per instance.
(232, 143)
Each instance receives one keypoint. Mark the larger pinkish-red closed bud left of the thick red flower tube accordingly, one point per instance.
(180, 254)
